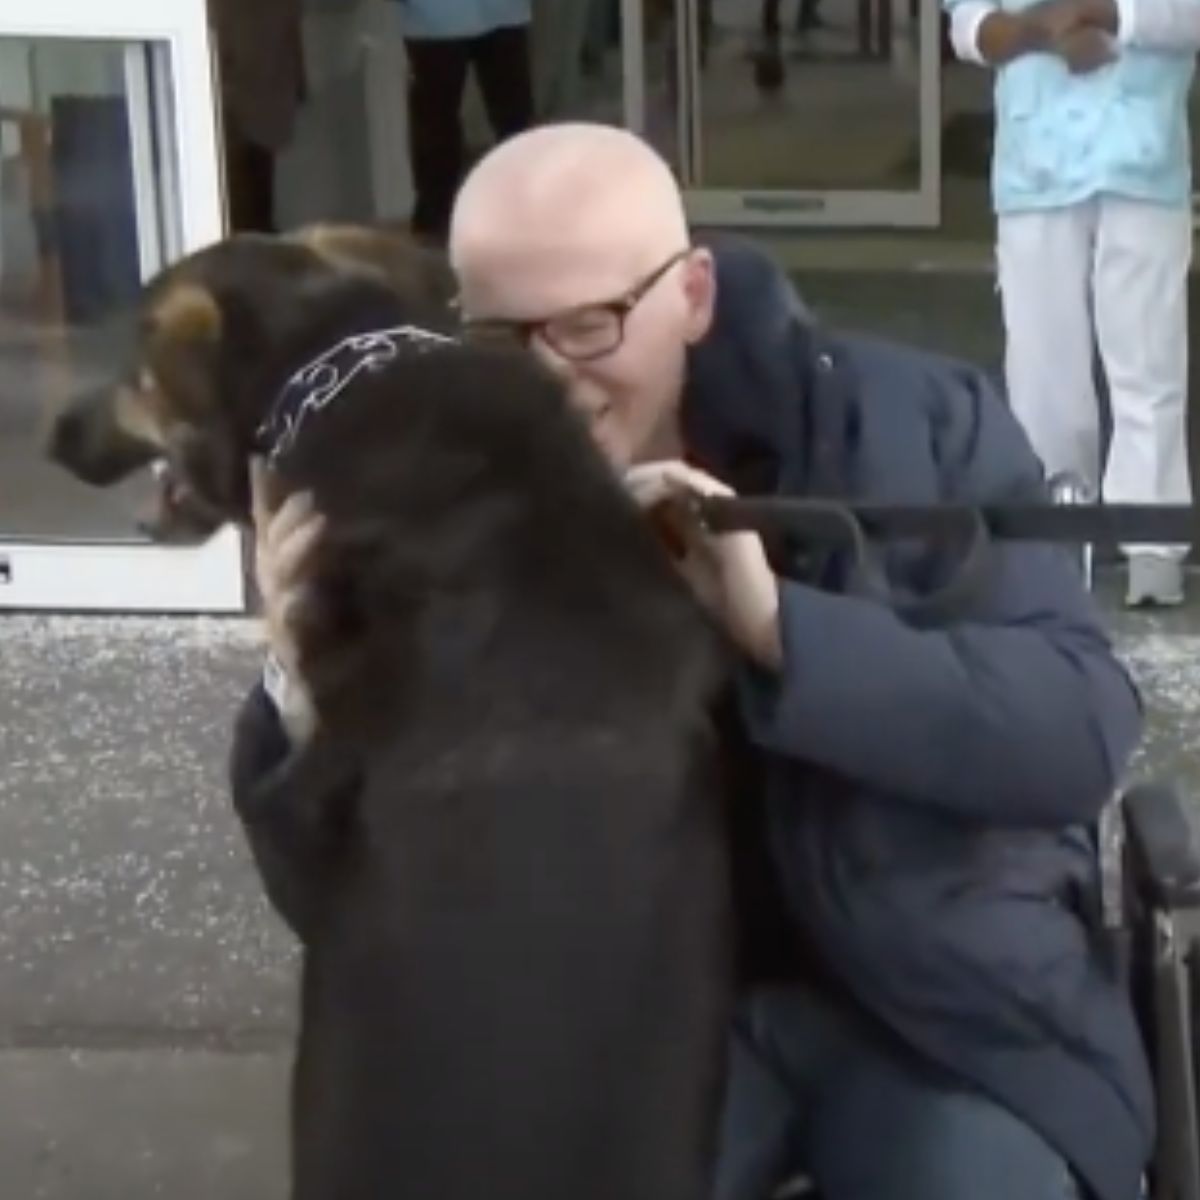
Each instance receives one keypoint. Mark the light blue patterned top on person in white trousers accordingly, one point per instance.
(1123, 130)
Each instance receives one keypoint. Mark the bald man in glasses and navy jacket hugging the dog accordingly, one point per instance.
(926, 1015)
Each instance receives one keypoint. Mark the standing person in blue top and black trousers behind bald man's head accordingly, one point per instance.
(445, 40)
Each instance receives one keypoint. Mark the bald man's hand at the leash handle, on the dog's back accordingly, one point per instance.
(729, 573)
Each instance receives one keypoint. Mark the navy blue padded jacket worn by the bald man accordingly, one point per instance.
(929, 790)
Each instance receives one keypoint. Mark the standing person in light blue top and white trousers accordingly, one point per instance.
(1093, 189)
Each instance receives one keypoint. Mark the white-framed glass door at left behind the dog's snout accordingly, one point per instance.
(109, 171)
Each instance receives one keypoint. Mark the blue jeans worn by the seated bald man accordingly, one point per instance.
(819, 1091)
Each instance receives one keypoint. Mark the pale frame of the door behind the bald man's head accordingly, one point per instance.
(783, 209)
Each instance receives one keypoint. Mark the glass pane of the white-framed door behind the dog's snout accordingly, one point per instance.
(87, 212)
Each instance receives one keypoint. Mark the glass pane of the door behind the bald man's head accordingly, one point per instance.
(805, 95)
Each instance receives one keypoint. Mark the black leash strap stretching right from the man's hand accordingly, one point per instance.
(830, 521)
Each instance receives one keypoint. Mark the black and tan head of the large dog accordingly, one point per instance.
(218, 335)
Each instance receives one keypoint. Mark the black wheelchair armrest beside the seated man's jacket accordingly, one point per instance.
(1163, 845)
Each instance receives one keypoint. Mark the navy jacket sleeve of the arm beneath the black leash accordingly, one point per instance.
(1021, 715)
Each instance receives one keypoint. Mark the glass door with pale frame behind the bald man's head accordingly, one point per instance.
(793, 113)
